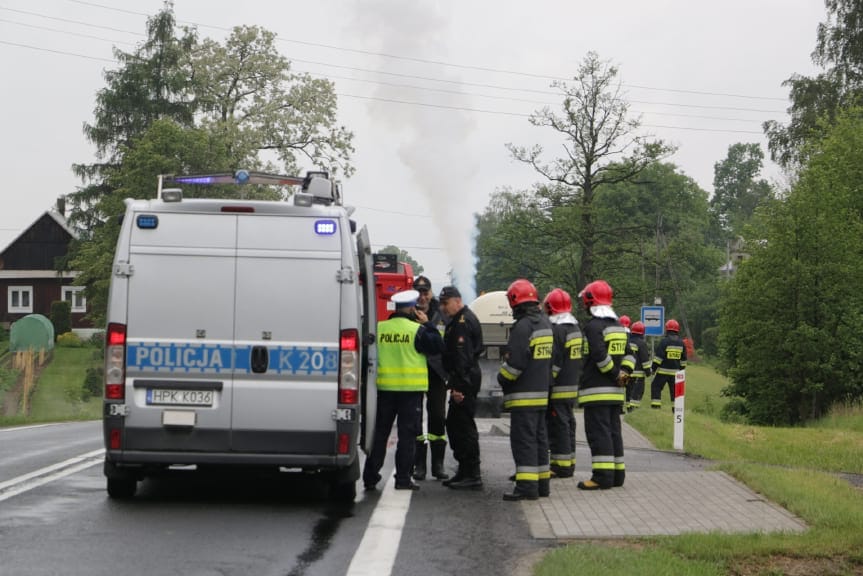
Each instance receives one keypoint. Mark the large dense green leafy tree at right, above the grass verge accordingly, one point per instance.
(791, 317)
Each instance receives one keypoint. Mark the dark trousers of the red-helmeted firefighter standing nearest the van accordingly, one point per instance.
(528, 440)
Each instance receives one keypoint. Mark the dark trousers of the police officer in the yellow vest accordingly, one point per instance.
(392, 406)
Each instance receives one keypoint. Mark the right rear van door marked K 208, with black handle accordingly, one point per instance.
(287, 329)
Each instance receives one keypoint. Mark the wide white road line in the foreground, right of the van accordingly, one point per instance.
(380, 544)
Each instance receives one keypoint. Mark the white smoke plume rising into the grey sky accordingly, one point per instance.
(434, 139)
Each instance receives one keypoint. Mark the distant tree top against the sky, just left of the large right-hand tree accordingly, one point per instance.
(737, 188)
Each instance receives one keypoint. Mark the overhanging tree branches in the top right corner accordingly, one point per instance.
(816, 101)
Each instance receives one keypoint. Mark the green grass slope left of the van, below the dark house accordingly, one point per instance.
(55, 398)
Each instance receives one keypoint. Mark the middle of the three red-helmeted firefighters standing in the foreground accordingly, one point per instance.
(565, 371)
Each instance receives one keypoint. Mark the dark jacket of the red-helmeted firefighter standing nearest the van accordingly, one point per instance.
(525, 375)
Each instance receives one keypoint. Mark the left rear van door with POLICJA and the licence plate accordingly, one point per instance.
(180, 330)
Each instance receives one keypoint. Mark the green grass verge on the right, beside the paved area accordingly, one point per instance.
(794, 467)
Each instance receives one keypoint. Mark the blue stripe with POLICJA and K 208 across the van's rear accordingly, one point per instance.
(200, 358)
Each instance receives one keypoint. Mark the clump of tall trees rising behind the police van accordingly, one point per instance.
(177, 105)
